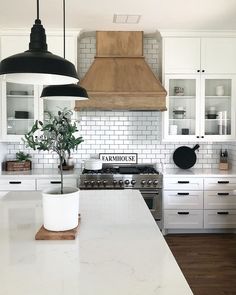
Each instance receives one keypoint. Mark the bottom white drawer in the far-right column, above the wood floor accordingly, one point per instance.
(220, 219)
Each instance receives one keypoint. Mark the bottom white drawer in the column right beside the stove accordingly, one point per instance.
(180, 219)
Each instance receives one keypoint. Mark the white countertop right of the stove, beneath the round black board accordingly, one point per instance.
(199, 172)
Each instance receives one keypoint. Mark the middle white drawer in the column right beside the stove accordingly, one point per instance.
(183, 199)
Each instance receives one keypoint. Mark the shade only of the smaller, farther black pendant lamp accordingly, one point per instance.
(65, 92)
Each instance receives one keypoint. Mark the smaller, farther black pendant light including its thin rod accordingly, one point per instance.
(68, 91)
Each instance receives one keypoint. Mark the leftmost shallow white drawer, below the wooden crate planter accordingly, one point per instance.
(17, 184)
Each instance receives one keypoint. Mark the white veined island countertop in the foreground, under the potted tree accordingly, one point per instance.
(119, 249)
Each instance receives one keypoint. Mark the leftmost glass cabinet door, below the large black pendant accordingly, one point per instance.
(19, 108)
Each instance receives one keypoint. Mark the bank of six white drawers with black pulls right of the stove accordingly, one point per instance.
(211, 206)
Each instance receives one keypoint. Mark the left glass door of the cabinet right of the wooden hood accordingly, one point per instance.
(182, 107)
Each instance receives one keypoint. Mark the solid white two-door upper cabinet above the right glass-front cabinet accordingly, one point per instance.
(190, 55)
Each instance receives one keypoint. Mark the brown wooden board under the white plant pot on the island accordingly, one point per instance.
(44, 234)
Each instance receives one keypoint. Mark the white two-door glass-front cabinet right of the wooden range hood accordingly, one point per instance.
(199, 108)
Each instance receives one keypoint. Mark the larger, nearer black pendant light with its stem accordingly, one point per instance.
(37, 65)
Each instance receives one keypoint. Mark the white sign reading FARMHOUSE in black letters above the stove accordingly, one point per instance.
(116, 158)
